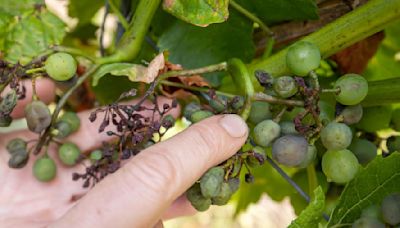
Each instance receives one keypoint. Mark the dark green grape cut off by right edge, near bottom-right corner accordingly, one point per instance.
(390, 208)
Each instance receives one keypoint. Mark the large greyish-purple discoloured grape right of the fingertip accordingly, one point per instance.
(290, 150)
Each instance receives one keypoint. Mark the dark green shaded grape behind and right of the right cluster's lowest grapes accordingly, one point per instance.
(364, 150)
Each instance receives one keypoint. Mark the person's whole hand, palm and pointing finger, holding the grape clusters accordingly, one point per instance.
(146, 189)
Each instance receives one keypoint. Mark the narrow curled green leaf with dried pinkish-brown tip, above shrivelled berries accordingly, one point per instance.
(135, 72)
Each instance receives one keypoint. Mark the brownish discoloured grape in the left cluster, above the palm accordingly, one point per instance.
(38, 116)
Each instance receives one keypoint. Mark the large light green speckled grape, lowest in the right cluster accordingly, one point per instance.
(340, 166)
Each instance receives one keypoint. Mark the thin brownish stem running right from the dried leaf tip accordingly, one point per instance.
(211, 68)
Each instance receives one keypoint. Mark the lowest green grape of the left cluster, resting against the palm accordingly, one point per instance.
(44, 169)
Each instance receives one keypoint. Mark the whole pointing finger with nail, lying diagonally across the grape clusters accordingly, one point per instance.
(139, 193)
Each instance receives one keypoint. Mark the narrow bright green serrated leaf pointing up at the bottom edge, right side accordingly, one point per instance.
(312, 214)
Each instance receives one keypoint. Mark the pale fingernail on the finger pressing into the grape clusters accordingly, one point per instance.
(234, 125)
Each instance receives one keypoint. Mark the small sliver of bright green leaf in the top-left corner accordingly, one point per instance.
(18, 7)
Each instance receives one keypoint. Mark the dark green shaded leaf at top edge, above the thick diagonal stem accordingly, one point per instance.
(272, 11)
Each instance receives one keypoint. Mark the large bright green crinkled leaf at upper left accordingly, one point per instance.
(32, 35)
